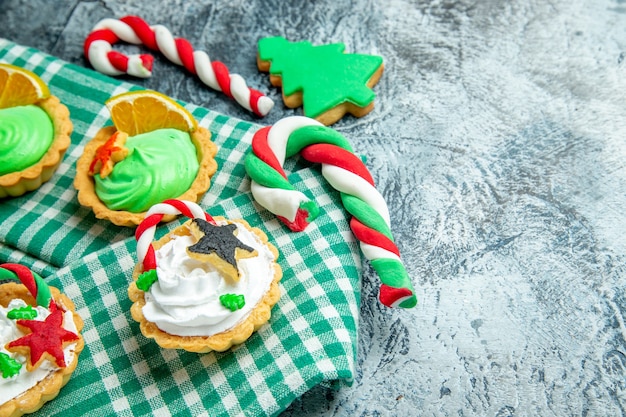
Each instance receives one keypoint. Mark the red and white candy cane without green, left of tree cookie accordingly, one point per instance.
(133, 29)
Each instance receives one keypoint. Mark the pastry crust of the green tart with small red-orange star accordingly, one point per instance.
(85, 184)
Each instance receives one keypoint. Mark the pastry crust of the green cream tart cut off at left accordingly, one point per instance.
(17, 183)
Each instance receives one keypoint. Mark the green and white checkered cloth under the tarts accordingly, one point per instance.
(310, 339)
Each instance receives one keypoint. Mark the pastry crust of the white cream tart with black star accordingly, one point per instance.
(218, 342)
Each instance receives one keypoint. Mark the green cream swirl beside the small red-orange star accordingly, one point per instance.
(161, 164)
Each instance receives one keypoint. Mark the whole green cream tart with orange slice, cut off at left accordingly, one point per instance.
(35, 131)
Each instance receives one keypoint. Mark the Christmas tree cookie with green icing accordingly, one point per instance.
(323, 79)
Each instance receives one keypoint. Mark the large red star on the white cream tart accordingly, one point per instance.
(46, 337)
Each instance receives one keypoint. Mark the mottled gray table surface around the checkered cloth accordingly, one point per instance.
(499, 142)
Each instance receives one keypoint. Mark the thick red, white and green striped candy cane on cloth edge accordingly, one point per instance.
(345, 172)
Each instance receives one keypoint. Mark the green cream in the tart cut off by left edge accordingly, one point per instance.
(26, 133)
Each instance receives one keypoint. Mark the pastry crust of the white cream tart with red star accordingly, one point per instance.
(48, 388)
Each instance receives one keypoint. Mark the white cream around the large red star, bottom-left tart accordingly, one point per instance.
(24, 380)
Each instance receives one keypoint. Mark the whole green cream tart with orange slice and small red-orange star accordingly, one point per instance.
(155, 151)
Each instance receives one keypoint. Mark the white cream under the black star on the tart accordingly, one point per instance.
(185, 299)
